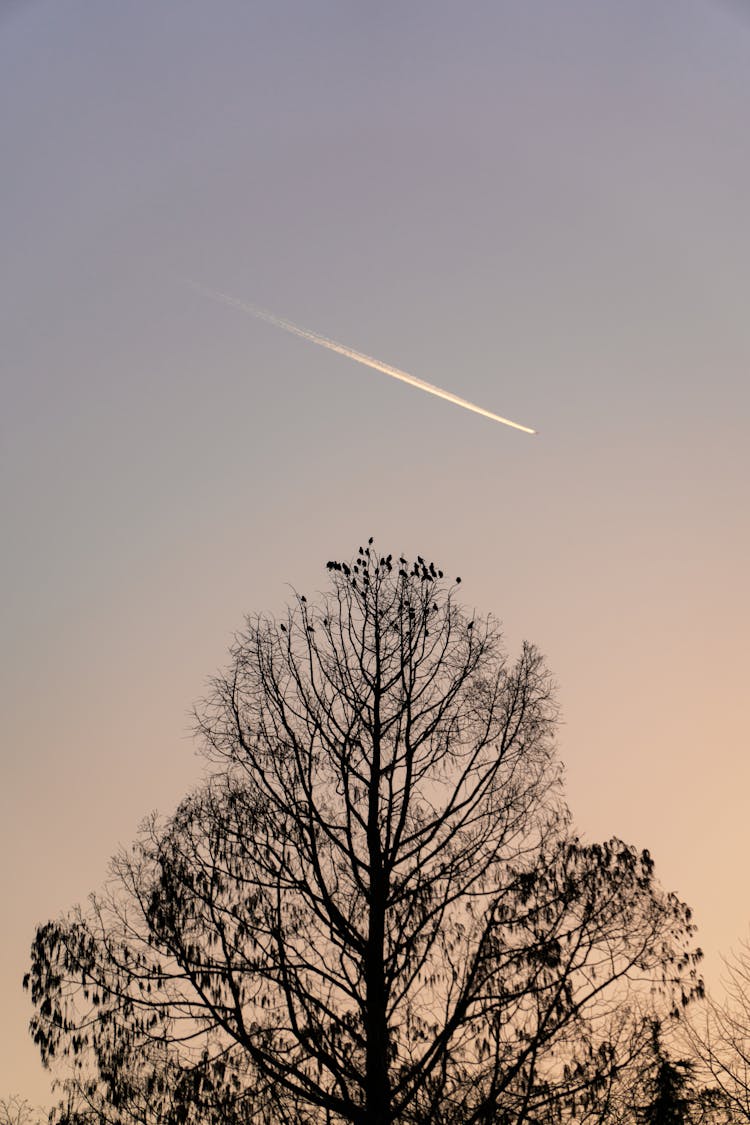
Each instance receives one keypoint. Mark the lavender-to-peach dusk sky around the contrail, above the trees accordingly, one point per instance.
(540, 208)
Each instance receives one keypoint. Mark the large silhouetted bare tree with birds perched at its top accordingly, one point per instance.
(375, 910)
